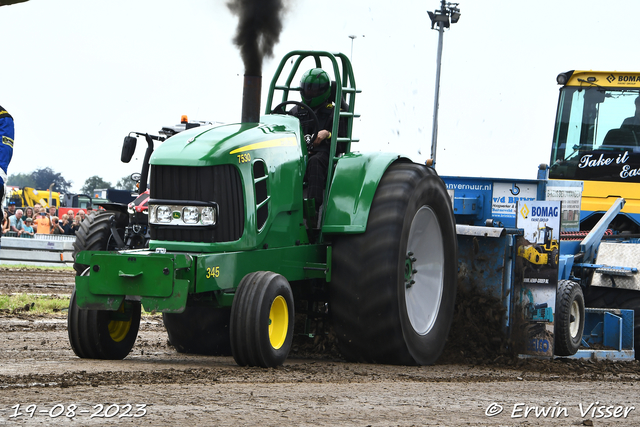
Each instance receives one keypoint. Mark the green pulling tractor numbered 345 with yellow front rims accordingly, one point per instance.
(237, 246)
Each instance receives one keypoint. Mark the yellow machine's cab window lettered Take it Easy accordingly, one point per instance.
(597, 135)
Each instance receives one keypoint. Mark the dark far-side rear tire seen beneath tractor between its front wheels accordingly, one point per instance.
(199, 330)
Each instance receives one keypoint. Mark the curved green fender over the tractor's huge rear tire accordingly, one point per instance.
(355, 180)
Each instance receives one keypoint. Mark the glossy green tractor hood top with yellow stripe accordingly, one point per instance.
(222, 144)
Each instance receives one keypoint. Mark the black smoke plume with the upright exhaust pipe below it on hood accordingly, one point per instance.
(259, 27)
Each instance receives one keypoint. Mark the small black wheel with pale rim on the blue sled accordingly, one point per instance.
(569, 318)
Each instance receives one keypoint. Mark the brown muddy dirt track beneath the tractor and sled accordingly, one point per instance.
(42, 382)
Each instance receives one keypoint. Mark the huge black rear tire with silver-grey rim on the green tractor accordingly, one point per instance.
(393, 288)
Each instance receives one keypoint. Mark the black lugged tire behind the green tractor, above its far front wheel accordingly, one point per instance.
(94, 234)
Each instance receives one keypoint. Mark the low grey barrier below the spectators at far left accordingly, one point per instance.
(40, 249)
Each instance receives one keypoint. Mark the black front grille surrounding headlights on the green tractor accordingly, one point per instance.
(220, 184)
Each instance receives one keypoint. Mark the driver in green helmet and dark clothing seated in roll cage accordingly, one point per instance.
(315, 91)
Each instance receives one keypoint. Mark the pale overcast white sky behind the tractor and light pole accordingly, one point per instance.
(77, 76)
